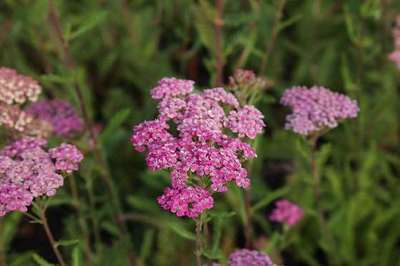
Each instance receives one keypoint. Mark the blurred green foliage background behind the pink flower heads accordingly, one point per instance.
(119, 49)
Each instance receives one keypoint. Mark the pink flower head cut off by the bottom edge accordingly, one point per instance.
(246, 257)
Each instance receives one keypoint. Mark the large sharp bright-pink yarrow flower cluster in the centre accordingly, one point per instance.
(200, 138)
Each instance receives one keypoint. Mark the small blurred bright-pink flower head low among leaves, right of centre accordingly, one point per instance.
(286, 212)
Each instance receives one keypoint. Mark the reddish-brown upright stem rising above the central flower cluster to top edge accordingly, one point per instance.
(218, 23)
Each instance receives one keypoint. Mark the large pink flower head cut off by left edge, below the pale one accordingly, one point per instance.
(28, 171)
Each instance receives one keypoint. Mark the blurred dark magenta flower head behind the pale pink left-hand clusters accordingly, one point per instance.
(59, 114)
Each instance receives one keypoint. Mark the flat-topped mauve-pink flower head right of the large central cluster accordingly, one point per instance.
(316, 109)
